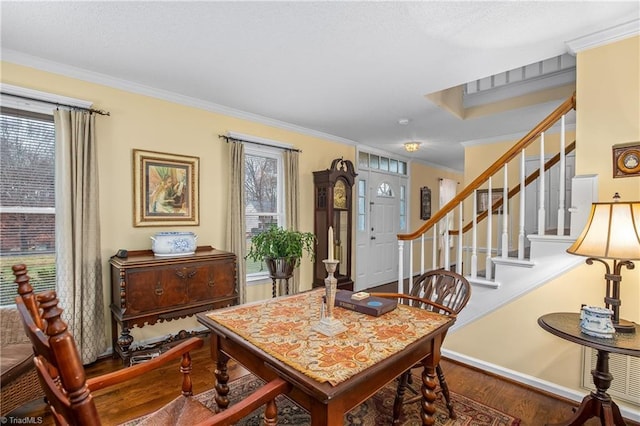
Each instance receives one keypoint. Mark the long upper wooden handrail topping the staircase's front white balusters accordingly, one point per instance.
(514, 151)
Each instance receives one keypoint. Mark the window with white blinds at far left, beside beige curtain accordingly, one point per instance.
(27, 199)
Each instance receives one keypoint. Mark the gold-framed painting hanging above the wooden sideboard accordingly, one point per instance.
(166, 189)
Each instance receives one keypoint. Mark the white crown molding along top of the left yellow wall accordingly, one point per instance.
(23, 59)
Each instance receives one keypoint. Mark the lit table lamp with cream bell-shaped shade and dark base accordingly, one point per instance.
(612, 232)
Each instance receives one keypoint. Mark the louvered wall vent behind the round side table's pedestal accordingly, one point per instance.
(626, 375)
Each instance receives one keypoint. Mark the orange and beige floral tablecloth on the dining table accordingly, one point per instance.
(282, 328)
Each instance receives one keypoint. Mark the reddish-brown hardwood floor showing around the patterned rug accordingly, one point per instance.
(144, 395)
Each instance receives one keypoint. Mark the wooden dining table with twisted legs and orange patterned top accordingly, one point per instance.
(329, 375)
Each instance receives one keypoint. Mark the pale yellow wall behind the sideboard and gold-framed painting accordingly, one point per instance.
(142, 122)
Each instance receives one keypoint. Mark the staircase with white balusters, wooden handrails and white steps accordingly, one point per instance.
(492, 250)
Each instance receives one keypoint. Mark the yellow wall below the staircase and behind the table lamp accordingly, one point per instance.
(608, 113)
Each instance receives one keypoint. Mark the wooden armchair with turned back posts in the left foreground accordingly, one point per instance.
(68, 392)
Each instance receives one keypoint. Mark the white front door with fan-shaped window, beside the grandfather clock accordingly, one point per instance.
(376, 241)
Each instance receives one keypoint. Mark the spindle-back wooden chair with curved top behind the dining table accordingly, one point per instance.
(439, 291)
